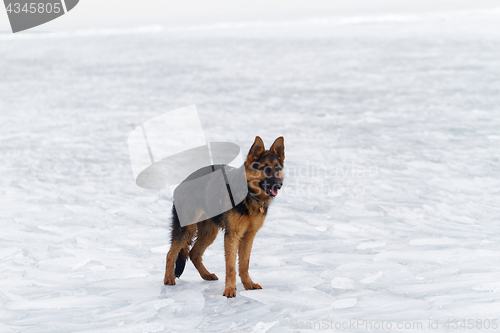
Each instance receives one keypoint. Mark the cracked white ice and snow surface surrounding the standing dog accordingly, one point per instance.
(390, 210)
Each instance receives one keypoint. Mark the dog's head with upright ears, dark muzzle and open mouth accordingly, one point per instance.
(264, 168)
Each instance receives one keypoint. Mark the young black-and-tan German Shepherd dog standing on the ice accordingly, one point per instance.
(264, 174)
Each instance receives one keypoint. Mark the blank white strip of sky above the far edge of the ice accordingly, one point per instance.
(96, 13)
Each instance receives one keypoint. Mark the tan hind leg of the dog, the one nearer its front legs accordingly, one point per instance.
(207, 232)
